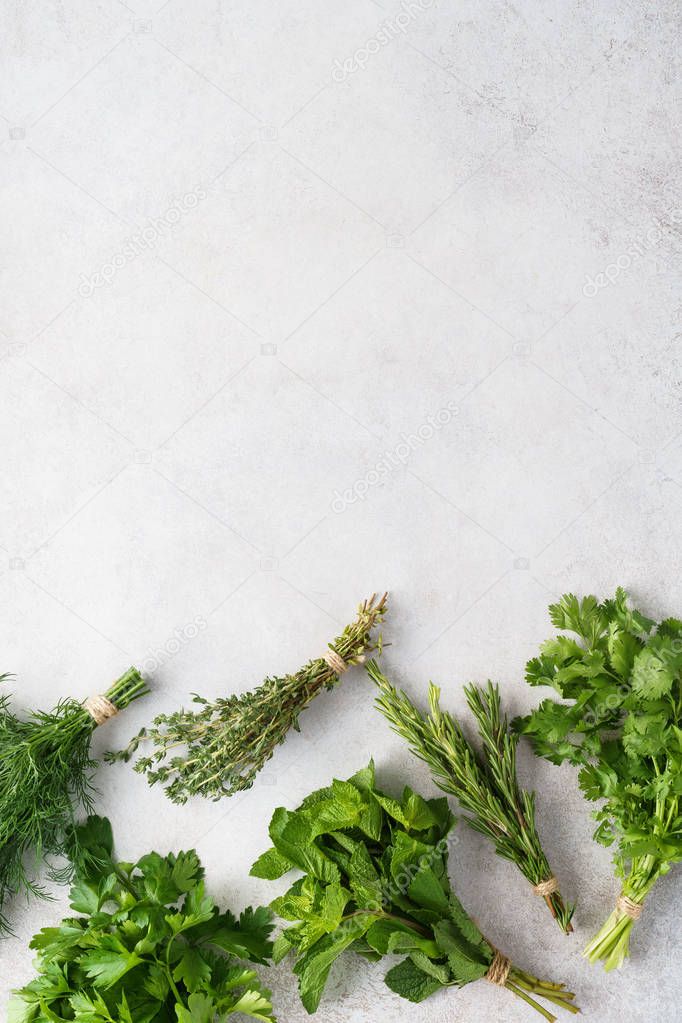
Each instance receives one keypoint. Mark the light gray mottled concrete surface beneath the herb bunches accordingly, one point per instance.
(303, 300)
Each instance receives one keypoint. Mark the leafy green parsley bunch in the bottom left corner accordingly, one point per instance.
(152, 947)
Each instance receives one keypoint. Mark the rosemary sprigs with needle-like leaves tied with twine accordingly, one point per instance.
(484, 783)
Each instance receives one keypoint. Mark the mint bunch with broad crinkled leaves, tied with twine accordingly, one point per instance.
(376, 881)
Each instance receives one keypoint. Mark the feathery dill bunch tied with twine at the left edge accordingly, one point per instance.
(46, 779)
